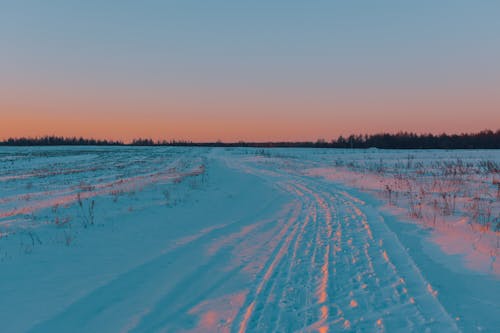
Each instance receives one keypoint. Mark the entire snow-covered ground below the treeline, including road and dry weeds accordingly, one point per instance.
(164, 239)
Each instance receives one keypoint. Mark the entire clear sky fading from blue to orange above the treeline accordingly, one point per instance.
(247, 70)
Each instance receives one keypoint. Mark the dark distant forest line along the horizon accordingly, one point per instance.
(486, 139)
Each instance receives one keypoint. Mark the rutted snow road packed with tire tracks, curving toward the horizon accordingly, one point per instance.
(336, 266)
